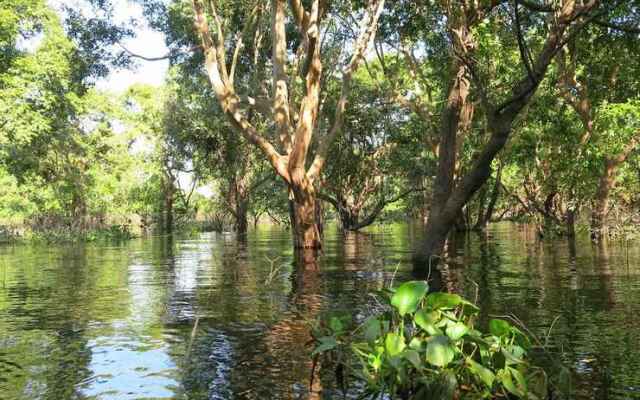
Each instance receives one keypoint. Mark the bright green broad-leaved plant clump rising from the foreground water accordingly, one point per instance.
(425, 346)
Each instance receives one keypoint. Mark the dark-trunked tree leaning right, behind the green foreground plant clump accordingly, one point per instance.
(471, 41)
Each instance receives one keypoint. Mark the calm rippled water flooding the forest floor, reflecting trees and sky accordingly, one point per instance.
(207, 318)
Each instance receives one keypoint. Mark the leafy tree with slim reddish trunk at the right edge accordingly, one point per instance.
(602, 92)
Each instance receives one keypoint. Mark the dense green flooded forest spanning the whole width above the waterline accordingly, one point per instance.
(455, 113)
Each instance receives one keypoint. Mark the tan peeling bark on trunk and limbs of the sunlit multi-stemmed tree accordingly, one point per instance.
(295, 134)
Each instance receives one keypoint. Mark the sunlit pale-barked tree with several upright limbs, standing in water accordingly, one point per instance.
(294, 129)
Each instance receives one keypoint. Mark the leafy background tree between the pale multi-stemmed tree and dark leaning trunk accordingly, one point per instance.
(371, 165)
